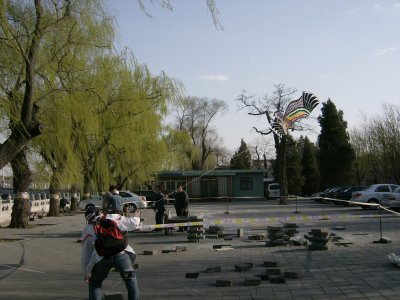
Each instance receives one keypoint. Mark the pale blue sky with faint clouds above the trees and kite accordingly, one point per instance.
(344, 50)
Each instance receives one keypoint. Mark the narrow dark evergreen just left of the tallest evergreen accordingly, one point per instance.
(310, 169)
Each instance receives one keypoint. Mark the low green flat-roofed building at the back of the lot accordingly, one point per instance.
(216, 183)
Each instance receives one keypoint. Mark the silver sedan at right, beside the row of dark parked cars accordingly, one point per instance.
(372, 194)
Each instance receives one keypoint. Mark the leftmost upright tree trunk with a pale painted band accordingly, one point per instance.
(21, 182)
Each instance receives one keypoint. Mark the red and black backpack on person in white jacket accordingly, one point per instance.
(110, 240)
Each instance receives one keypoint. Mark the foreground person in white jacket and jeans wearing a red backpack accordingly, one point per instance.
(96, 268)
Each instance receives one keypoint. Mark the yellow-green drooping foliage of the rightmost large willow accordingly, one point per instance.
(136, 148)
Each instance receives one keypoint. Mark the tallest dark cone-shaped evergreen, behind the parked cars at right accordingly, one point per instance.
(336, 155)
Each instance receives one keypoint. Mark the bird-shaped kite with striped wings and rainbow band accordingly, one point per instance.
(295, 110)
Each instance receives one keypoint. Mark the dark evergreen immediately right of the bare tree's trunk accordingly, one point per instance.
(293, 166)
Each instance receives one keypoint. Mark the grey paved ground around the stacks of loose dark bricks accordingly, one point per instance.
(43, 262)
